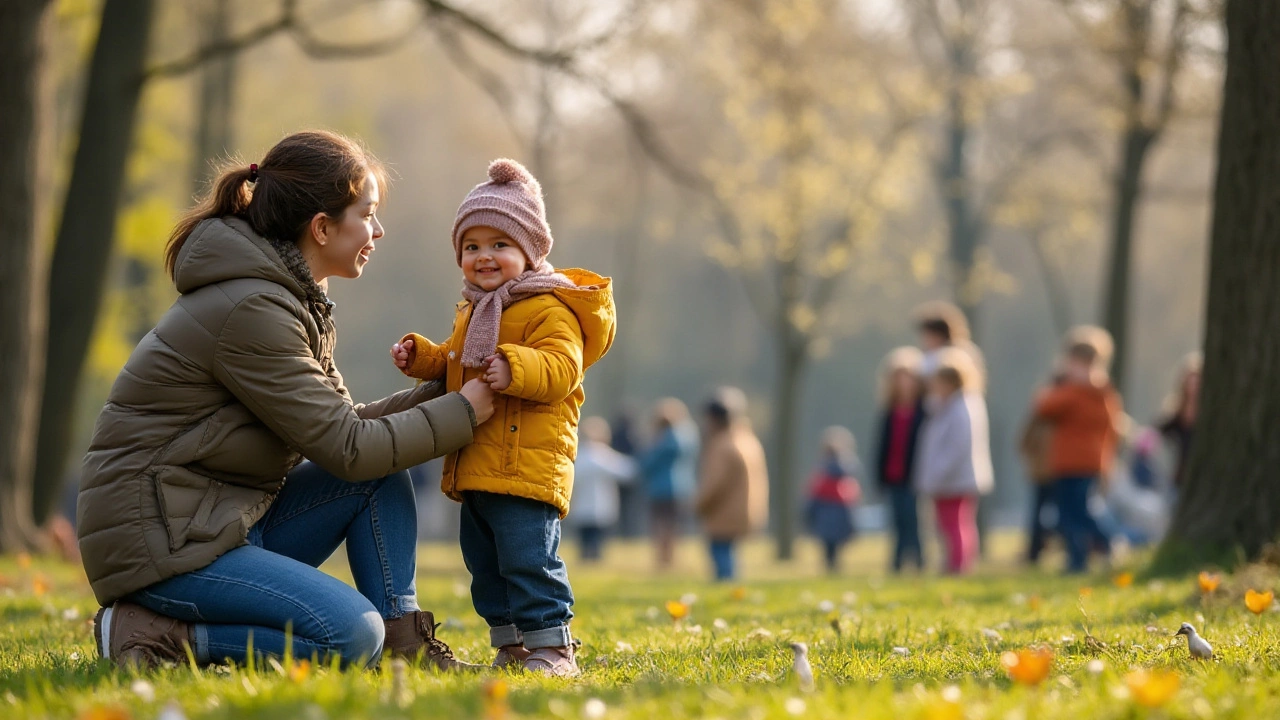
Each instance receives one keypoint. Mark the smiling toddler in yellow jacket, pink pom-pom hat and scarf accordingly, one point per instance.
(531, 332)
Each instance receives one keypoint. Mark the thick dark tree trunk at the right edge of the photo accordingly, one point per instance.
(1232, 499)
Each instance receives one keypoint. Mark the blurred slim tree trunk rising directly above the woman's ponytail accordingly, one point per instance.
(217, 97)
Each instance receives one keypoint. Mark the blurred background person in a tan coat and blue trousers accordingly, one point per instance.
(734, 482)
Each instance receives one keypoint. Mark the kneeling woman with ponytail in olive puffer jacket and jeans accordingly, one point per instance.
(200, 525)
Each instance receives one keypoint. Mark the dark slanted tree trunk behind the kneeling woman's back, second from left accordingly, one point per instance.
(84, 249)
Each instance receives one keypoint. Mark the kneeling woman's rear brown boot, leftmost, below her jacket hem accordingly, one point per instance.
(136, 637)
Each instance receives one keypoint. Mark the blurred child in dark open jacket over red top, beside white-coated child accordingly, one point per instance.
(902, 417)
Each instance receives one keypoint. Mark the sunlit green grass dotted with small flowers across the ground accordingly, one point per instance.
(730, 659)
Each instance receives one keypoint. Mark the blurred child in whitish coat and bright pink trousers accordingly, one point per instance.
(954, 458)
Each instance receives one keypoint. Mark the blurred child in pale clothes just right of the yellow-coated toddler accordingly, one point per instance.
(597, 475)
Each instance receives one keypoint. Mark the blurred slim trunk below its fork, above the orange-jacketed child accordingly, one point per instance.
(1135, 149)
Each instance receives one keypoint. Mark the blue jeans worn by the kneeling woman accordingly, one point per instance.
(262, 594)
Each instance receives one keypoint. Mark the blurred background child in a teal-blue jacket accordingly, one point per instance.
(669, 468)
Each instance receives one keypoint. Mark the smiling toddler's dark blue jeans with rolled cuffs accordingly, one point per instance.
(519, 582)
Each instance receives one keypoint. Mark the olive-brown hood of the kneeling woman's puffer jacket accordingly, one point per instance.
(227, 249)
